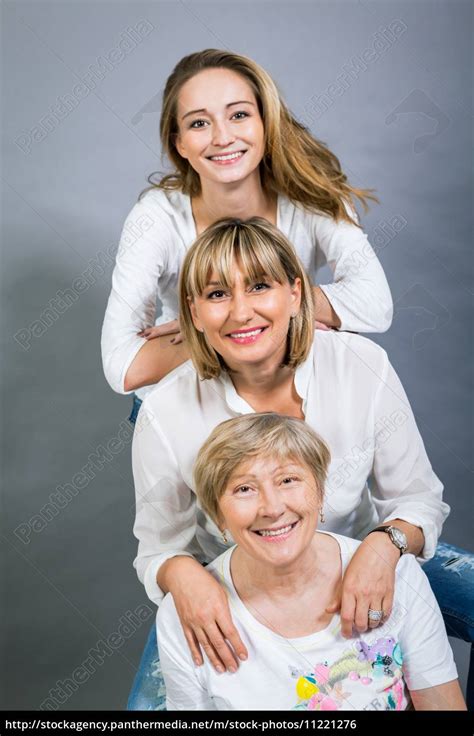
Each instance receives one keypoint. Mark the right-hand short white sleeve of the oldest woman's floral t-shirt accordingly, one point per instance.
(427, 655)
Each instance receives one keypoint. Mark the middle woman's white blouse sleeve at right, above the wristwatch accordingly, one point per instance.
(403, 483)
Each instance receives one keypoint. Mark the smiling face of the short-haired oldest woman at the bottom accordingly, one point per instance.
(270, 506)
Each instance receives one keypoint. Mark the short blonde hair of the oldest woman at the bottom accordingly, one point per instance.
(265, 434)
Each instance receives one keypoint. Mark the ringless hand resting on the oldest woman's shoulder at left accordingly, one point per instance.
(203, 609)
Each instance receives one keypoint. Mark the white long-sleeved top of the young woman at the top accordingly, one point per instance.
(156, 236)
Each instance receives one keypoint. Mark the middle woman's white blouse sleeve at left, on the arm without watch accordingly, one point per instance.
(166, 515)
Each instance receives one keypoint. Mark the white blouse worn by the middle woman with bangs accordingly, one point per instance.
(351, 396)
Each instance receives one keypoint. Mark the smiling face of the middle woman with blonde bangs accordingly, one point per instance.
(248, 322)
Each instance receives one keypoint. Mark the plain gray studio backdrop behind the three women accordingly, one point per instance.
(81, 92)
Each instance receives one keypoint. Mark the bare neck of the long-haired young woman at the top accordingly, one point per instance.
(242, 199)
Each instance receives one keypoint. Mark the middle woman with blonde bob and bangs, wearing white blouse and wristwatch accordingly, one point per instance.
(247, 317)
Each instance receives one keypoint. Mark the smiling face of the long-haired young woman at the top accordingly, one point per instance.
(218, 114)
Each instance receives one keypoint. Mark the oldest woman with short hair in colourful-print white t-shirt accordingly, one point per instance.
(261, 478)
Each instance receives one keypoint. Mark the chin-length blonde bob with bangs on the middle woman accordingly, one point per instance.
(260, 249)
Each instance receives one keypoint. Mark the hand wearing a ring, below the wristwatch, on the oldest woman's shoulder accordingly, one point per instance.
(368, 582)
